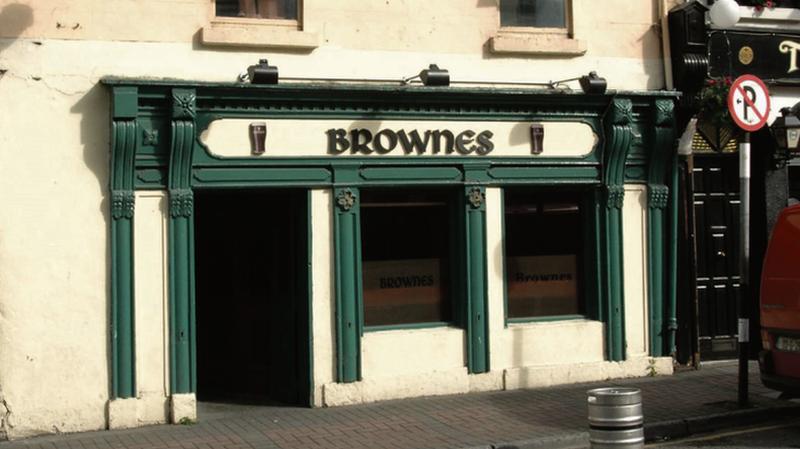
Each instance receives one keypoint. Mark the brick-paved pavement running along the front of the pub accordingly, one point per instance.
(685, 403)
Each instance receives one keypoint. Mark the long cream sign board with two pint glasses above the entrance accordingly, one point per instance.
(293, 138)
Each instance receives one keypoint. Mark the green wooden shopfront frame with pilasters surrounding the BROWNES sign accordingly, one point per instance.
(144, 111)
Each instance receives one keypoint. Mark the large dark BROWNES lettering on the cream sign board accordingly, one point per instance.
(385, 141)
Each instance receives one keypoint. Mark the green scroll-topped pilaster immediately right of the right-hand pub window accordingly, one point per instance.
(619, 134)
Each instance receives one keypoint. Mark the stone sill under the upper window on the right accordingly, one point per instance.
(532, 43)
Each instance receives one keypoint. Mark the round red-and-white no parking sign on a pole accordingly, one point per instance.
(748, 101)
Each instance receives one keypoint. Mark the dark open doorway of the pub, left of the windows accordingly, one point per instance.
(252, 296)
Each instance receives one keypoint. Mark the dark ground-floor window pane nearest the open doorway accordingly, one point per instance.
(405, 250)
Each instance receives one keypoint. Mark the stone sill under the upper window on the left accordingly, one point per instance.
(258, 33)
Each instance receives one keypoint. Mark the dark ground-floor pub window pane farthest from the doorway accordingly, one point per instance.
(544, 253)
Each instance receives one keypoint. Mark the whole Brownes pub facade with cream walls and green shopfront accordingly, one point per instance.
(339, 234)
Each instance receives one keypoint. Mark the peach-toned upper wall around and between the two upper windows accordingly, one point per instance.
(451, 26)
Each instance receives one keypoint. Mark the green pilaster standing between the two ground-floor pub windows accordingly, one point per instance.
(477, 306)
